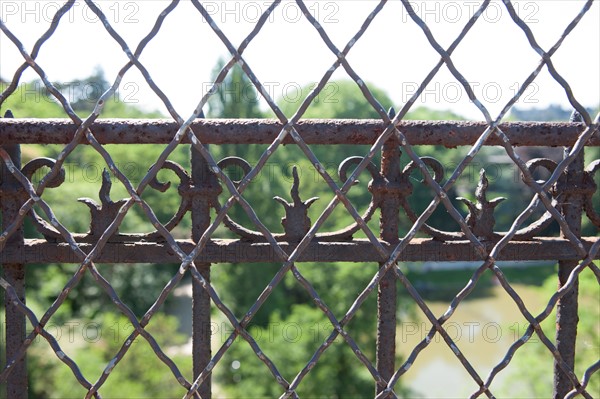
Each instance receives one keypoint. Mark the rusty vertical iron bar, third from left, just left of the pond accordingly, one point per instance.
(386, 294)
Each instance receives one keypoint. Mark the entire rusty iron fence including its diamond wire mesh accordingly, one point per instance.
(566, 197)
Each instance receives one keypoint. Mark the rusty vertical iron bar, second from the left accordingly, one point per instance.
(203, 181)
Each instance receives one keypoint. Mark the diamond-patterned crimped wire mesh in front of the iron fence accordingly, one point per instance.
(389, 256)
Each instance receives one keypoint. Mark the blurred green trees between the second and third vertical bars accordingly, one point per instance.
(289, 309)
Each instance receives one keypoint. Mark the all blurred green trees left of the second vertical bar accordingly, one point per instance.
(87, 303)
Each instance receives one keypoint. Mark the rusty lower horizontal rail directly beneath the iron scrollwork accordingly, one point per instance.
(232, 251)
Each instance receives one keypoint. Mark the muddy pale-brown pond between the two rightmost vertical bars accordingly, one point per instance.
(483, 328)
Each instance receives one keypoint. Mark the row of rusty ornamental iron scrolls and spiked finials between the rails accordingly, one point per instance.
(296, 223)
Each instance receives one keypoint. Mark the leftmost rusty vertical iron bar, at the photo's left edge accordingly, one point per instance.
(14, 274)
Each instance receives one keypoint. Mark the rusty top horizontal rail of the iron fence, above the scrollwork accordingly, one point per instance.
(313, 131)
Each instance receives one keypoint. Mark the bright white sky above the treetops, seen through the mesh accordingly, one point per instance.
(288, 53)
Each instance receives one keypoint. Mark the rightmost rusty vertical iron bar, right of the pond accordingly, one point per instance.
(567, 307)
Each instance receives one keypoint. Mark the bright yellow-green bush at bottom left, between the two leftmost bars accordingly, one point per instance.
(140, 374)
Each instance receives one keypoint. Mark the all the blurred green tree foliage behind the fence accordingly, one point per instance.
(289, 327)
